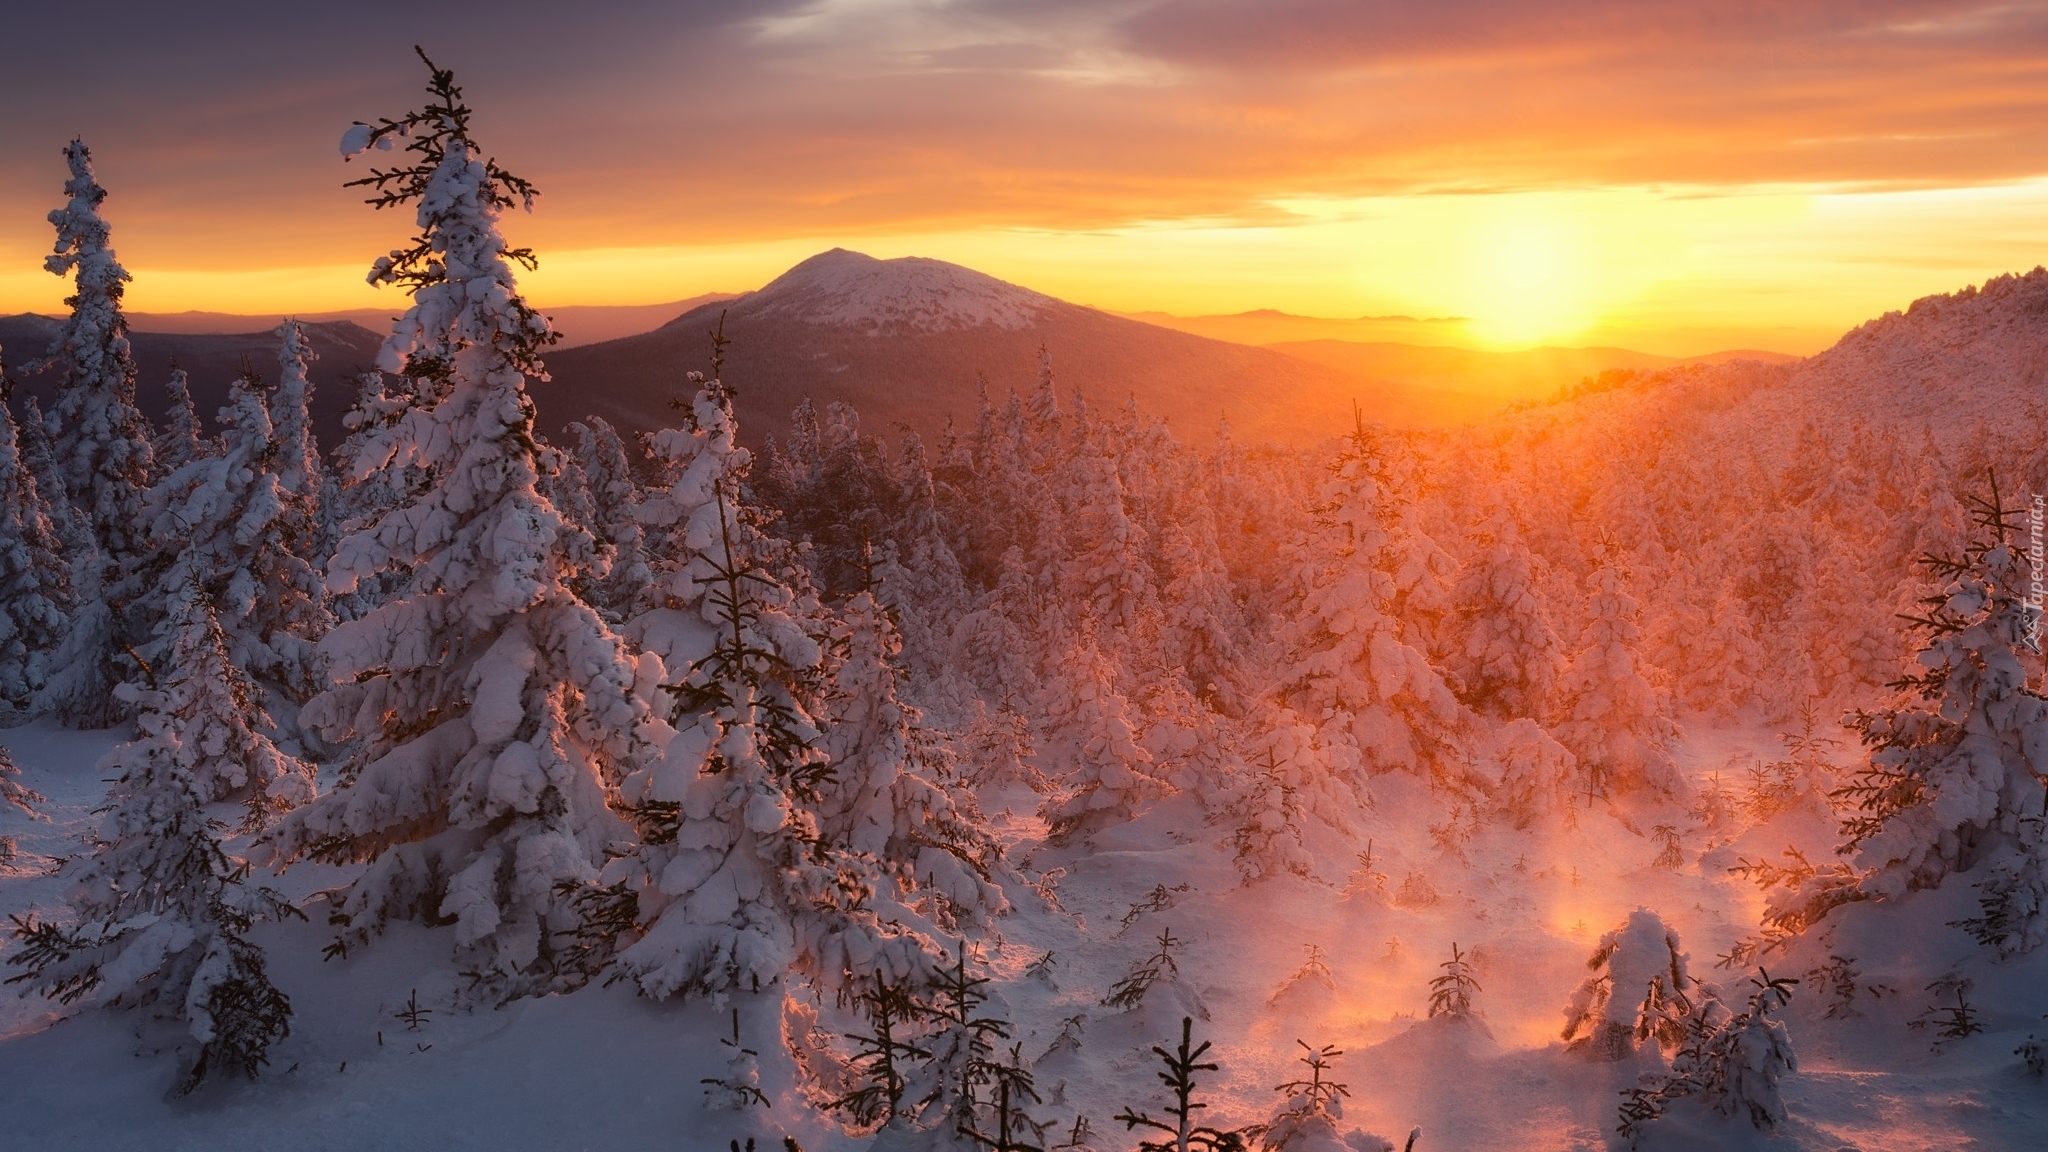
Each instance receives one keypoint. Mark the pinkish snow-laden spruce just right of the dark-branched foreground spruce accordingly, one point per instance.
(892, 794)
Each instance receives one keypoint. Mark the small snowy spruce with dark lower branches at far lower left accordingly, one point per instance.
(163, 909)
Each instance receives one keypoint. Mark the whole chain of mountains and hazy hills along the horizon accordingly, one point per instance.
(908, 343)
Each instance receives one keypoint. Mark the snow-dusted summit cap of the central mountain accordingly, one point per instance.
(912, 294)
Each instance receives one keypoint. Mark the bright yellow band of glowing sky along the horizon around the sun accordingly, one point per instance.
(1672, 272)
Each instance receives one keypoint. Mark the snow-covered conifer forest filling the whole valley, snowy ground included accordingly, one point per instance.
(1658, 766)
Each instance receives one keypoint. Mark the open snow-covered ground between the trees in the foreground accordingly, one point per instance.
(609, 1071)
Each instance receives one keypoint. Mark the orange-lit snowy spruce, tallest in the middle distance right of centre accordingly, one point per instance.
(1377, 700)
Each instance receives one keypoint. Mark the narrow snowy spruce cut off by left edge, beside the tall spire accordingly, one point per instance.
(36, 587)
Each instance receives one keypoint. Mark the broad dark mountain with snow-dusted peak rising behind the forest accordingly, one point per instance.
(910, 341)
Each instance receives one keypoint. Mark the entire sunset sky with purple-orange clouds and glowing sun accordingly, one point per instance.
(1644, 173)
